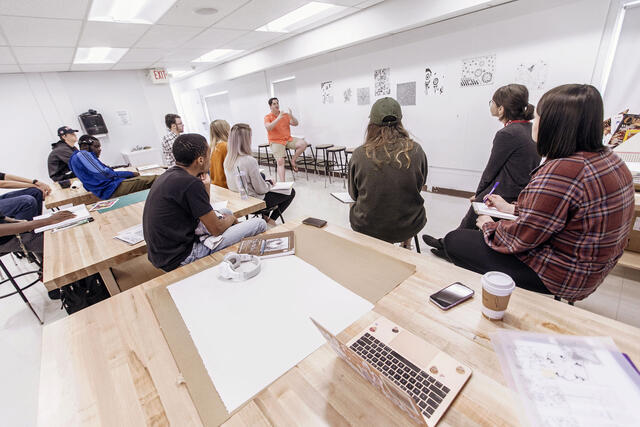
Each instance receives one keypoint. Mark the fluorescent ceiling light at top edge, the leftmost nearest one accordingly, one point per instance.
(129, 11)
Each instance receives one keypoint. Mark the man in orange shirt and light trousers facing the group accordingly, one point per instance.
(279, 133)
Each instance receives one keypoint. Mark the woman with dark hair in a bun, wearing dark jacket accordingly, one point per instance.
(513, 155)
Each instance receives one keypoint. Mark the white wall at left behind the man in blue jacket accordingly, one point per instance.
(34, 105)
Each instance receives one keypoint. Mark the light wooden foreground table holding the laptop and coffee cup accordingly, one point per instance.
(110, 364)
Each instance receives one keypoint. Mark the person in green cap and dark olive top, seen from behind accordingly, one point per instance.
(386, 175)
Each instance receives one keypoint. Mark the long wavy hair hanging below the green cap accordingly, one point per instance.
(388, 144)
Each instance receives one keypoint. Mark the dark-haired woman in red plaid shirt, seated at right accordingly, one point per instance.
(574, 216)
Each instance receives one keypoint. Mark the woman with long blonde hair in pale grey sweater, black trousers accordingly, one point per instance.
(239, 159)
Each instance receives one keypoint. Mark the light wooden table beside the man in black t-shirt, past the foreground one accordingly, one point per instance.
(81, 251)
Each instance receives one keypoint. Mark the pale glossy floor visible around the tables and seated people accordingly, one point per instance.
(20, 334)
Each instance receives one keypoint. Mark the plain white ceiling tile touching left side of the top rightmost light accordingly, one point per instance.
(259, 12)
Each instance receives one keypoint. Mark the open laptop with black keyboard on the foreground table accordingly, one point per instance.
(416, 376)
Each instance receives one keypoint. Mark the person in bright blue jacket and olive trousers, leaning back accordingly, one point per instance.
(99, 178)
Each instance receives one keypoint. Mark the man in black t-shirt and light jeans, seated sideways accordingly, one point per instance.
(179, 201)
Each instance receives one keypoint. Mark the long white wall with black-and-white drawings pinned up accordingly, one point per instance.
(455, 129)
